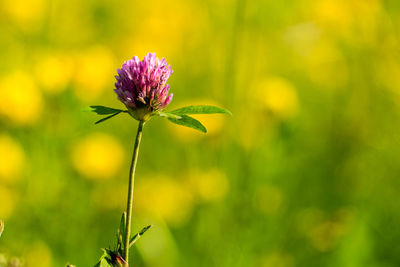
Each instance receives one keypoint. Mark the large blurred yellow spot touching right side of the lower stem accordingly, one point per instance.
(166, 198)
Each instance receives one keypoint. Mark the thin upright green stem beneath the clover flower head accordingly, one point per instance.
(130, 190)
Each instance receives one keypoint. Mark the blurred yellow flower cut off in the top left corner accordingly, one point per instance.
(26, 14)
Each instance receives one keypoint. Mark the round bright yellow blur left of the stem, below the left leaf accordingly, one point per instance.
(98, 156)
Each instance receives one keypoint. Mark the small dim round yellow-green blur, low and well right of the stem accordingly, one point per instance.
(269, 199)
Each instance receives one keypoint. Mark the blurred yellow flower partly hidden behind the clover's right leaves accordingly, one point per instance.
(214, 123)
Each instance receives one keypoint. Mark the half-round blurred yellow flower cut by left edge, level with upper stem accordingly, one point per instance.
(11, 157)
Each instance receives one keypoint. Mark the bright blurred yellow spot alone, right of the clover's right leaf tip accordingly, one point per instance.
(279, 96)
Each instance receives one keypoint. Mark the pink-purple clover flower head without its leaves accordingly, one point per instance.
(142, 85)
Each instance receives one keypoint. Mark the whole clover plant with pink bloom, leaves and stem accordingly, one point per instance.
(142, 87)
